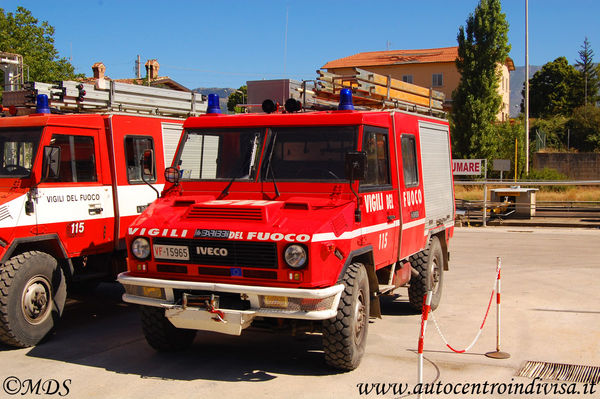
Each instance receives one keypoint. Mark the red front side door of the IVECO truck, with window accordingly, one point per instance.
(380, 201)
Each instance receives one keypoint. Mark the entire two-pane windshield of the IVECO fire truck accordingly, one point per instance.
(292, 153)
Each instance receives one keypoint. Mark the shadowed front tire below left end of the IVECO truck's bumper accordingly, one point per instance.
(161, 334)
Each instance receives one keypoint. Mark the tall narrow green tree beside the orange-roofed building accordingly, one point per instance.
(482, 47)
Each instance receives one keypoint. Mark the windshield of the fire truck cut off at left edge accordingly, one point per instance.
(17, 151)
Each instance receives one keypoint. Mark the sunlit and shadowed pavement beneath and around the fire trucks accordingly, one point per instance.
(551, 313)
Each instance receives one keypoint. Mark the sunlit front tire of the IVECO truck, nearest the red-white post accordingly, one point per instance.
(345, 336)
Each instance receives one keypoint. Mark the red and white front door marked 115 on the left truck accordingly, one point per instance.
(76, 205)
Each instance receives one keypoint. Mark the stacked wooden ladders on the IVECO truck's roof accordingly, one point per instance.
(377, 91)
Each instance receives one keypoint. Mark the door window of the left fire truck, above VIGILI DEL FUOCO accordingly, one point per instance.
(77, 158)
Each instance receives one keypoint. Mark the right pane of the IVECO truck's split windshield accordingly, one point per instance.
(308, 153)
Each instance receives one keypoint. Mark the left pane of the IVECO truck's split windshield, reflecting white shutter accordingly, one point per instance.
(221, 154)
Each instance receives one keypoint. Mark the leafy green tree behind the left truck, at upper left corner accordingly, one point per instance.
(21, 33)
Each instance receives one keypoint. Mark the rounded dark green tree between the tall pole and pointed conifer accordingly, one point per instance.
(553, 89)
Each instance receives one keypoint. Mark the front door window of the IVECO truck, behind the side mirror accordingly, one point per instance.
(375, 144)
